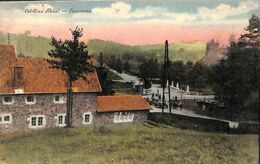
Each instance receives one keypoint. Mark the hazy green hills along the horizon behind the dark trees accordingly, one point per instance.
(27, 45)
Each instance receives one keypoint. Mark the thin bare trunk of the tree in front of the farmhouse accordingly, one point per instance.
(69, 105)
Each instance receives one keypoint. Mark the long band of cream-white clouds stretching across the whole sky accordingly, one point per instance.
(122, 12)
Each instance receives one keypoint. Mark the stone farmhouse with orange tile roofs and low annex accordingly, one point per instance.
(34, 96)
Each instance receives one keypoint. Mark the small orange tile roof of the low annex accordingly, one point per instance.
(121, 103)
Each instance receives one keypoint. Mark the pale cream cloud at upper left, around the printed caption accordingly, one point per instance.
(17, 21)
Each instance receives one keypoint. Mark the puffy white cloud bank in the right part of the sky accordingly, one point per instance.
(121, 11)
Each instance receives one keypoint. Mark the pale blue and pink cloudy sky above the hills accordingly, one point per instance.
(132, 22)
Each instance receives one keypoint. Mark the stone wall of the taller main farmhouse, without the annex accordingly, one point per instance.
(45, 106)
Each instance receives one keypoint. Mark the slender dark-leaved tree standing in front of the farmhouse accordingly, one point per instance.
(72, 57)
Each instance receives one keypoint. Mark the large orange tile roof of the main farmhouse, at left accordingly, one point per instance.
(38, 77)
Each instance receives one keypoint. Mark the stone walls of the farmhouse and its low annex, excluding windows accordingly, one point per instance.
(44, 105)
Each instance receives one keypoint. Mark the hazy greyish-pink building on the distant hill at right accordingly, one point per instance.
(214, 53)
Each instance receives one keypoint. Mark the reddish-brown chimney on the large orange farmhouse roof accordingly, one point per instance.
(18, 78)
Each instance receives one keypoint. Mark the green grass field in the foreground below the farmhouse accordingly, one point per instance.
(127, 144)
